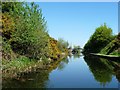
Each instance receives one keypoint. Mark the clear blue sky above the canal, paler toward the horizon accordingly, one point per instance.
(76, 22)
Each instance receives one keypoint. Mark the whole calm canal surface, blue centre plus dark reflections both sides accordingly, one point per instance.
(72, 72)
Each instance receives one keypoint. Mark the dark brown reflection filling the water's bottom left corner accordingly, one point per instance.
(32, 80)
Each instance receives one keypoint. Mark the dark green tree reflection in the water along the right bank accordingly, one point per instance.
(103, 69)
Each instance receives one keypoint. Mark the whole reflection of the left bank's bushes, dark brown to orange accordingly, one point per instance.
(38, 79)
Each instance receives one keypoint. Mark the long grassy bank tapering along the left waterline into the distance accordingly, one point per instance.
(24, 65)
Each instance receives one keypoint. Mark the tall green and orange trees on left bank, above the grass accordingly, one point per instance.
(24, 33)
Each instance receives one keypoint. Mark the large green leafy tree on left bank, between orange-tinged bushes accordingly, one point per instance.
(29, 36)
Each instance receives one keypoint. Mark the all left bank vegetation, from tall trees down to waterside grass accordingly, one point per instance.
(26, 43)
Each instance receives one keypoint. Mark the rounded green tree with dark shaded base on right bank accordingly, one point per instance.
(101, 37)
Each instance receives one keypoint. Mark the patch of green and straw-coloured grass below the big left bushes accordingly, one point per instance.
(22, 64)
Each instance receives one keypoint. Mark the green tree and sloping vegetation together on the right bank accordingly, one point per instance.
(103, 42)
